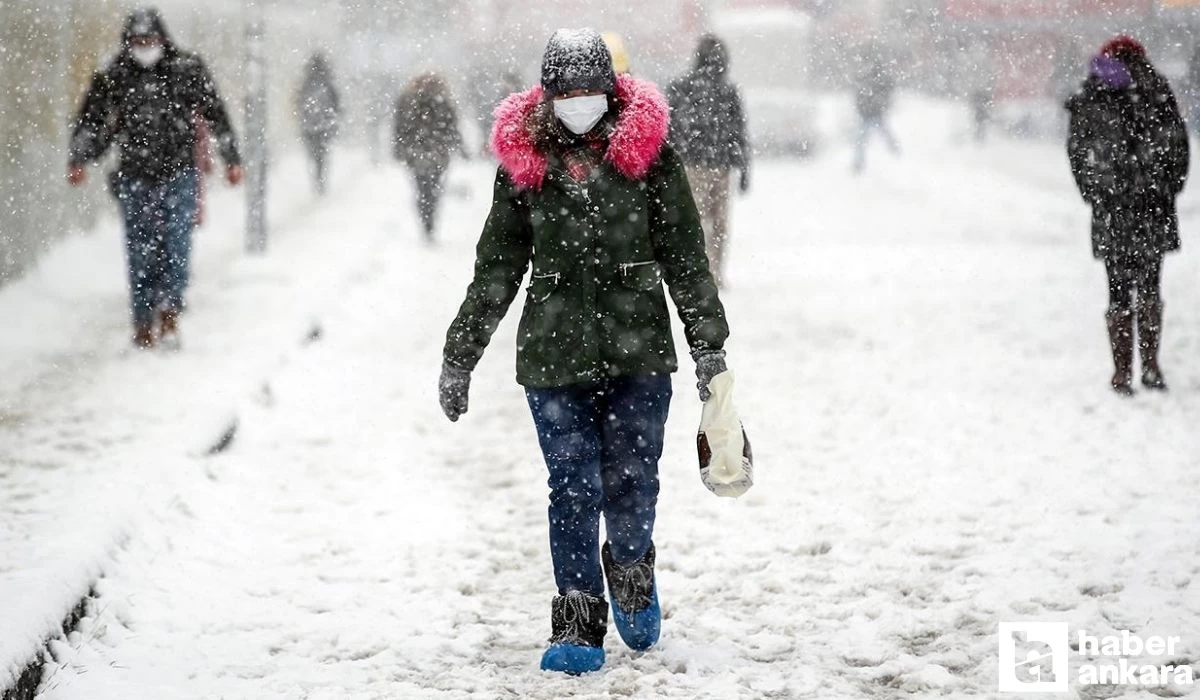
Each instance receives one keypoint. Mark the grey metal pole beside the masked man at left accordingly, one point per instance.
(256, 133)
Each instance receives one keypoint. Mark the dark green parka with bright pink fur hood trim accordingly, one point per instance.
(601, 249)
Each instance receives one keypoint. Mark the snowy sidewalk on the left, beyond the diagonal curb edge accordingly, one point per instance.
(92, 433)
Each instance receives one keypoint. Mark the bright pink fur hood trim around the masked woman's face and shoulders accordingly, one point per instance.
(634, 147)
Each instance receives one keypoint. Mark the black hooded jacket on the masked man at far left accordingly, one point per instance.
(152, 113)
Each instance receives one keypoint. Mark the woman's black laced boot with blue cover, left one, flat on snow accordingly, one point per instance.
(579, 624)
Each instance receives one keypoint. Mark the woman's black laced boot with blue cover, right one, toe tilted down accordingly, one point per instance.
(635, 600)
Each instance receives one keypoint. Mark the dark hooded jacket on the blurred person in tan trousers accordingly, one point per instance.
(707, 123)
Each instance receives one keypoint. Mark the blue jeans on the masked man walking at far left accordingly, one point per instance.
(159, 223)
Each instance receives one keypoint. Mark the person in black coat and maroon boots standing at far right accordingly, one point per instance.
(1129, 149)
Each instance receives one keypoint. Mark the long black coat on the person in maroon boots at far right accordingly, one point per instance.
(1130, 155)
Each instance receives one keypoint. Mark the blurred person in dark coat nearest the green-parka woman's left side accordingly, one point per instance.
(425, 139)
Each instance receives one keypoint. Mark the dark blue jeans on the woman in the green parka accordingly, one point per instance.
(602, 445)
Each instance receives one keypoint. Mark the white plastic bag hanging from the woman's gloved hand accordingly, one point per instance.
(727, 463)
